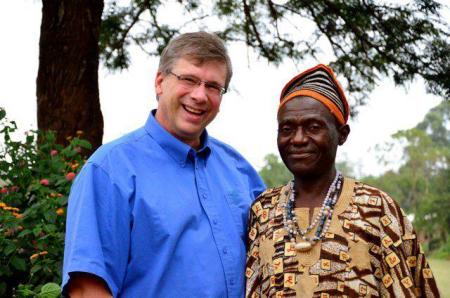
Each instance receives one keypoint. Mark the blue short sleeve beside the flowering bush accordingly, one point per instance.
(98, 227)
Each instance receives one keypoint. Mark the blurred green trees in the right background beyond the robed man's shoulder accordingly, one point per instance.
(421, 185)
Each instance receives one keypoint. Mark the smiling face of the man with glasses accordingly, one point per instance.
(186, 109)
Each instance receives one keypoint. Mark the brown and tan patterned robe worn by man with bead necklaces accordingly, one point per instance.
(370, 250)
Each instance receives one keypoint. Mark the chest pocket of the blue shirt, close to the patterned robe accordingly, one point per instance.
(239, 203)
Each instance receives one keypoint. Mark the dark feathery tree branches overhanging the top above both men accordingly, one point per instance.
(369, 39)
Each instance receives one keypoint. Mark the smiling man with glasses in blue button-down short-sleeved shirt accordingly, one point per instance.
(162, 211)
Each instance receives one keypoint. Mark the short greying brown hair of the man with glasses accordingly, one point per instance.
(199, 46)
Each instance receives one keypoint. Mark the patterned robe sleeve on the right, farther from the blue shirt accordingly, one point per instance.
(404, 266)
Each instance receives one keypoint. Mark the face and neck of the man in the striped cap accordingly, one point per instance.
(308, 137)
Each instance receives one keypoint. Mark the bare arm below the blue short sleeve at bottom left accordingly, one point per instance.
(83, 285)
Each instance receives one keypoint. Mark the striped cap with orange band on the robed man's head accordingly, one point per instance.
(321, 84)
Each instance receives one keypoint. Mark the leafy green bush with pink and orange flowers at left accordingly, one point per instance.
(35, 179)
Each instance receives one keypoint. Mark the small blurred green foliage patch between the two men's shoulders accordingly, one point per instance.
(274, 173)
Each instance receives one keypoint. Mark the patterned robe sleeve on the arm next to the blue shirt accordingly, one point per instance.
(253, 272)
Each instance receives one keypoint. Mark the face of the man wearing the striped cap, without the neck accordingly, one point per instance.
(308, 137)
